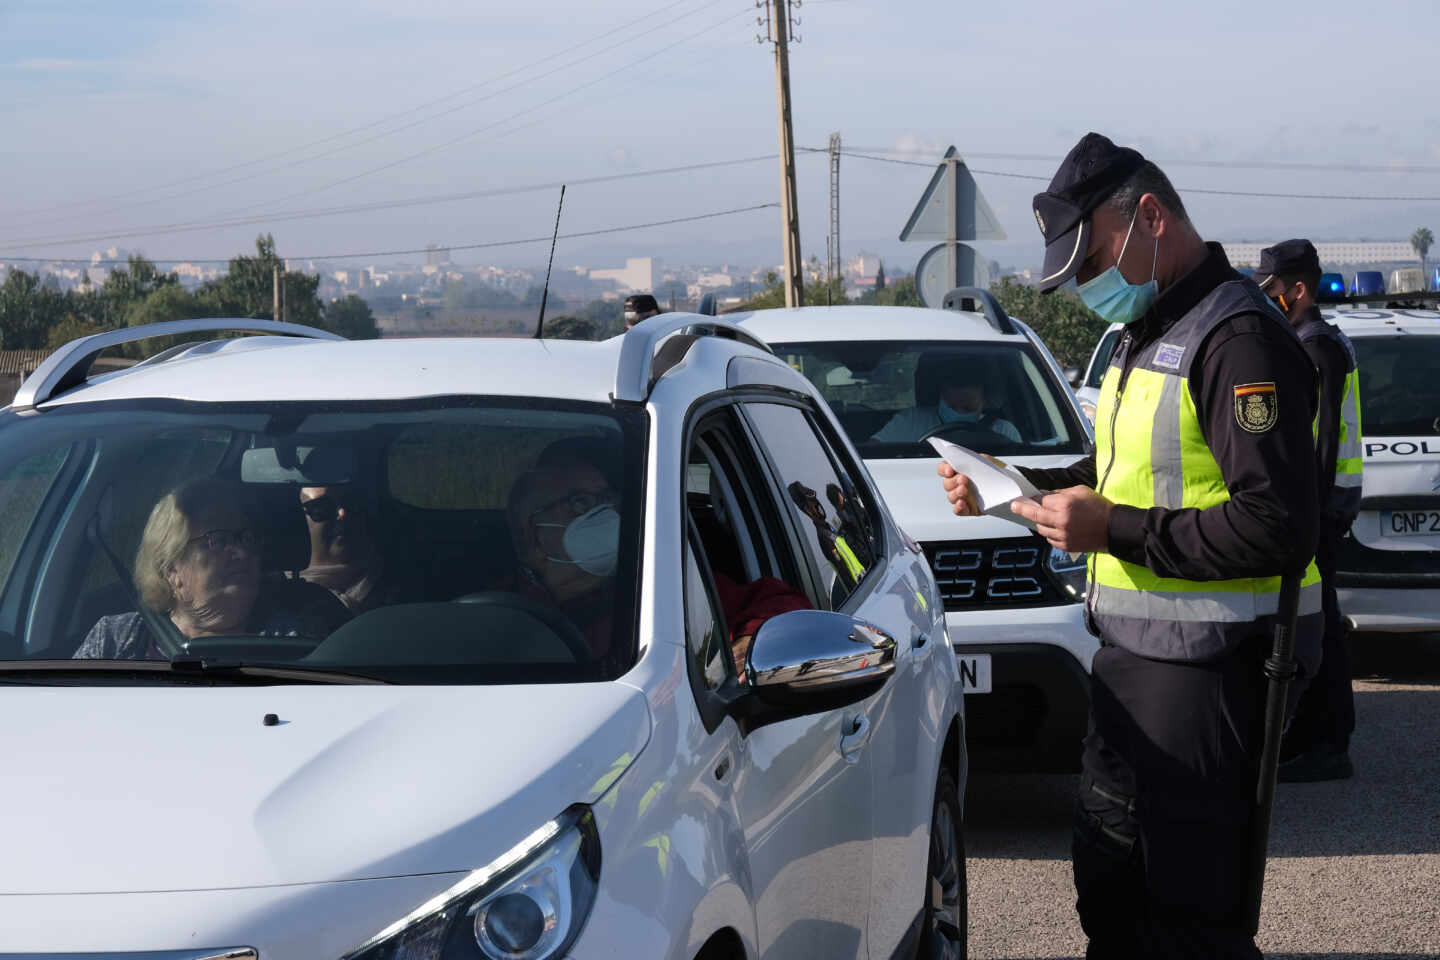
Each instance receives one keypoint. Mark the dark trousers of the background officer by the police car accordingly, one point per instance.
(1327, 710)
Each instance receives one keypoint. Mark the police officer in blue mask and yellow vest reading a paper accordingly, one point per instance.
(1200, 496)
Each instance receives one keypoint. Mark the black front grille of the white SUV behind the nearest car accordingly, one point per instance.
(977, 575)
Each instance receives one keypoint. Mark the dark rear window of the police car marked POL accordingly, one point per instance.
(1399, 391)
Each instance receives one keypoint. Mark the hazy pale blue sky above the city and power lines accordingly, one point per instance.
(120, 120)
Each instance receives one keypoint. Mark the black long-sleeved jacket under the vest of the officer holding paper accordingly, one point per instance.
(1269, 525)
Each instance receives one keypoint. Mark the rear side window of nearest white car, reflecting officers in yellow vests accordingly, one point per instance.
(833, 520)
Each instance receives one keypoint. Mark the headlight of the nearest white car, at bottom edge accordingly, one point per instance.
(529, 905)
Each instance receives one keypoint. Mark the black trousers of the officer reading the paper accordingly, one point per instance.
(1163, 820)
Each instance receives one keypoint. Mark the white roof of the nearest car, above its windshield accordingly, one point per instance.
(277, 369)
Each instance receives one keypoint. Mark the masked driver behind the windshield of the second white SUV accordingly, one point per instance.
(948, 389)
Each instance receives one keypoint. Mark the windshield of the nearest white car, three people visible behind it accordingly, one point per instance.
(453, 540)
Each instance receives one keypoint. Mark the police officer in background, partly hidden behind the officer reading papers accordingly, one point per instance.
(1317, 746)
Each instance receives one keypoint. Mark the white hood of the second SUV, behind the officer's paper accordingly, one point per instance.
(912, 489)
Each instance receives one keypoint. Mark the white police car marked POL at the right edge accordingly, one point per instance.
(1389, 566)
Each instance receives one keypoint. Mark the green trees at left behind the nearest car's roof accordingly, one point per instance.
(35, 313)
